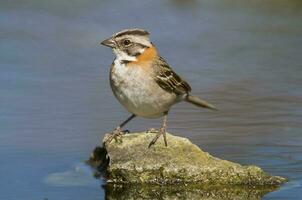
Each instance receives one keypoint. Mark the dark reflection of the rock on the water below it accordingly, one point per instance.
(113, 191)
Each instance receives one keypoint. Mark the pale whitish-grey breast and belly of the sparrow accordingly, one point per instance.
(138, 92)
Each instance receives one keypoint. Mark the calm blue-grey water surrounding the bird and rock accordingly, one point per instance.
(56, 103)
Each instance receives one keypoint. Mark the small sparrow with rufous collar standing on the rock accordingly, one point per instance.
(143, 82)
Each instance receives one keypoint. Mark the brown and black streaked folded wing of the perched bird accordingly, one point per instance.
(168, 80)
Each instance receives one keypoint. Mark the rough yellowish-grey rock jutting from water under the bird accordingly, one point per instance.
(131, 161)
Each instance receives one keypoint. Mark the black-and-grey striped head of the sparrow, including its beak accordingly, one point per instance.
(128, 44)
